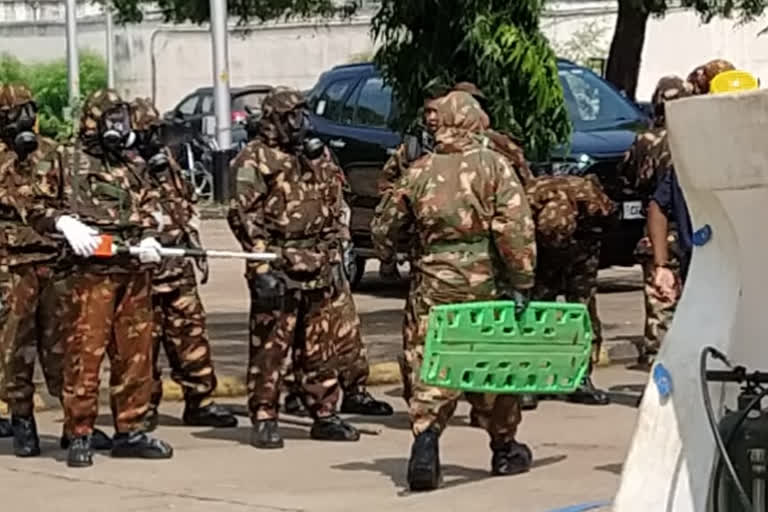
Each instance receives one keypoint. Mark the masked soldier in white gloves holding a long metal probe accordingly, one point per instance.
(99, 188)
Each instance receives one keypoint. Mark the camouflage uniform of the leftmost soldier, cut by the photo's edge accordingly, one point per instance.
(28, 262)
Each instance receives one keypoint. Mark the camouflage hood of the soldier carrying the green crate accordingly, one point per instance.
(461, 117)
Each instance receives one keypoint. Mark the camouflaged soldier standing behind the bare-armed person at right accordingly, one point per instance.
(645, 162)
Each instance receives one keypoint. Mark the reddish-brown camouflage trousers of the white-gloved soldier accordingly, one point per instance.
(113, 315)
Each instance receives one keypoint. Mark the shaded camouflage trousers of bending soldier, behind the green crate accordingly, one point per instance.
(572, 272)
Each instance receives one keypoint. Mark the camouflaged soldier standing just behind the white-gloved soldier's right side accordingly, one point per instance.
(179, 315)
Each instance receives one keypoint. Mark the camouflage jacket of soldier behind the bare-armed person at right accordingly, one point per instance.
(645, 162)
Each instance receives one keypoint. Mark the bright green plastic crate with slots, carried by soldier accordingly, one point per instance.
(482, 347)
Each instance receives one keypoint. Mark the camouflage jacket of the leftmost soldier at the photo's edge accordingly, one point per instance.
(21, 243)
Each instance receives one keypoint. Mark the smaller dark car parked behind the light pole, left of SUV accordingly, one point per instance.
(199, 104)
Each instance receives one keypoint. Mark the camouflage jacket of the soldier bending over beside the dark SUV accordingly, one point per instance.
(567, 209)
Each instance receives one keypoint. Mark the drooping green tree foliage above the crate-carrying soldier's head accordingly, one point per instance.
(496, 44)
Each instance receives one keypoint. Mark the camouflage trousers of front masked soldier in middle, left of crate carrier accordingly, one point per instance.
(302, 324)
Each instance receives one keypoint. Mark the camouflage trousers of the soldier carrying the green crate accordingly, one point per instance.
(430, 406)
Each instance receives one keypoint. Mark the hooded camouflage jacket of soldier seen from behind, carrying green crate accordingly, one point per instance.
(474, 227)
